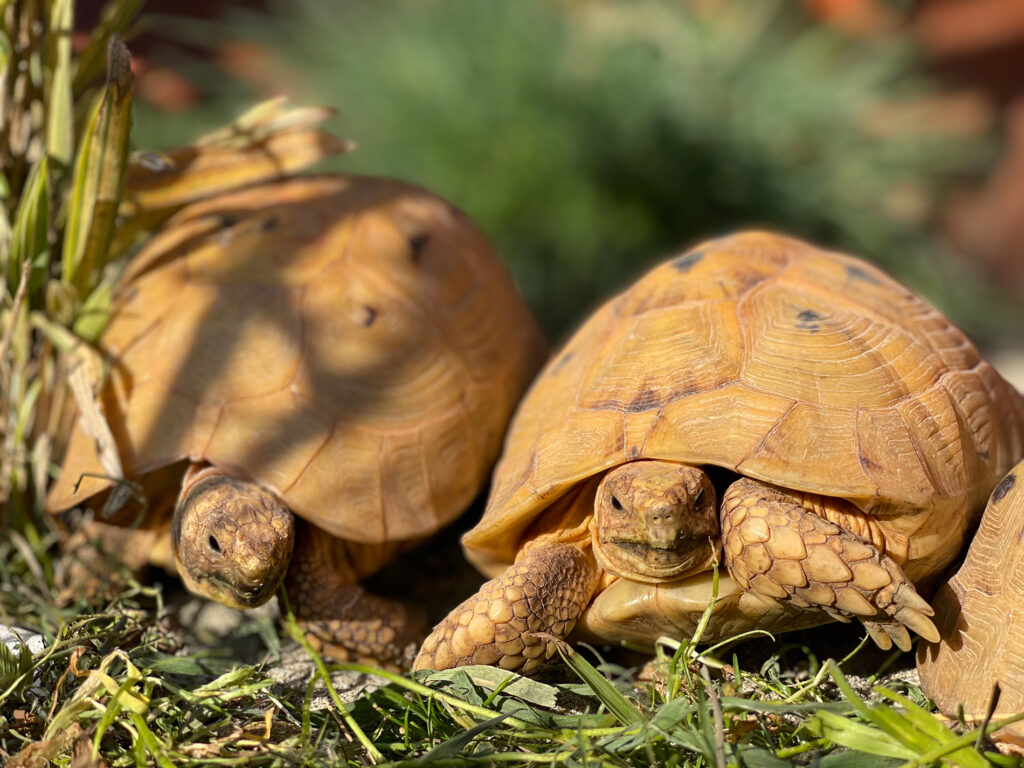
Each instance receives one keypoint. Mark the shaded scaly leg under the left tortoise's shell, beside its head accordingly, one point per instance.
(340, 618)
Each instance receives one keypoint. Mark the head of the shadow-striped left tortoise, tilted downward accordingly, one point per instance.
(233, 540)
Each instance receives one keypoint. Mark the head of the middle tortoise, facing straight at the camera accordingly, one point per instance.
(656, 521)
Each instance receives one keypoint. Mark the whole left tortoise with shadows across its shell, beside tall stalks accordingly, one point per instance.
(321, 365)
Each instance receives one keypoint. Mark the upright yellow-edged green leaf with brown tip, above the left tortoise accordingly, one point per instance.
(100, 175)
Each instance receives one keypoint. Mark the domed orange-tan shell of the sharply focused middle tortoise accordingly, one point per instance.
(781, 362)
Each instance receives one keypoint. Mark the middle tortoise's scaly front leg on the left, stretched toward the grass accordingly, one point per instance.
(544, 592)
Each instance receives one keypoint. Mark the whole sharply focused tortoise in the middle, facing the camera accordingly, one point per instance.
(851, 433)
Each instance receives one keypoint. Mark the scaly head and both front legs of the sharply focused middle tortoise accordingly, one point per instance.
(652, 524)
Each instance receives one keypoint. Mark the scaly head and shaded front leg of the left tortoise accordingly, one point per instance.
(234, 543)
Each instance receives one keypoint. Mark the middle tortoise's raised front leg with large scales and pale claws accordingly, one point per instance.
(778, 543)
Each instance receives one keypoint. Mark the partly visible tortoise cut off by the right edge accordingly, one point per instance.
(977, 615)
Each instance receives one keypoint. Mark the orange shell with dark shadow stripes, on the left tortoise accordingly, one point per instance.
(353, 345)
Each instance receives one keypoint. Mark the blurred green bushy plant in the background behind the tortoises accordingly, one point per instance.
(590, 140)
